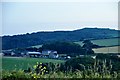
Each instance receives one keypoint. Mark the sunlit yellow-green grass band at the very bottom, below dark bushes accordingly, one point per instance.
(77, 74)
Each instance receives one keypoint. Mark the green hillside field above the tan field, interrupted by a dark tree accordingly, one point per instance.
(104, 42)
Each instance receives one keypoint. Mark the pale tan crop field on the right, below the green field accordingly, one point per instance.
(114, 49)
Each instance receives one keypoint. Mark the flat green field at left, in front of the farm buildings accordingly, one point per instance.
(12, 63)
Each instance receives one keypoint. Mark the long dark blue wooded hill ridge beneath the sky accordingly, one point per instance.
(26, 40)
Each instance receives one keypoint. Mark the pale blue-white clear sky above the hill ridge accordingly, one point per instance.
(20, 17)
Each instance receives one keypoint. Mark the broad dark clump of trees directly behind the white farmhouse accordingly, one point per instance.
(69, 48)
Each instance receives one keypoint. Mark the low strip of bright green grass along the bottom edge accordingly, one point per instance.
(84, 75)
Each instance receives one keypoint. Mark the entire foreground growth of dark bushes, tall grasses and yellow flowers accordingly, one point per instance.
(104, 66)
